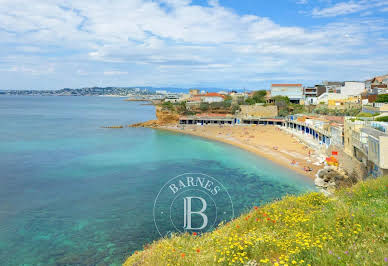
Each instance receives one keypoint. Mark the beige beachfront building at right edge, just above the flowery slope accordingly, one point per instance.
(367, 141)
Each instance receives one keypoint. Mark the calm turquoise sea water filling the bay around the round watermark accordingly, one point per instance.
(72, 192)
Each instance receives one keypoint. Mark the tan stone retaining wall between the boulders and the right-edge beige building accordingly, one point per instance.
(350, 164)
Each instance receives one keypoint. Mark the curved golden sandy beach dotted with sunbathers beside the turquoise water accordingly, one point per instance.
(266, 141)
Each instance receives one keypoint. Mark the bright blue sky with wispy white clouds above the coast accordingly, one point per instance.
(232, 44)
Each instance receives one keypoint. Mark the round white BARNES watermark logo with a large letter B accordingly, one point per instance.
(193, 203)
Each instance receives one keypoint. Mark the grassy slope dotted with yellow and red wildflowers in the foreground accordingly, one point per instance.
(349, 229)
